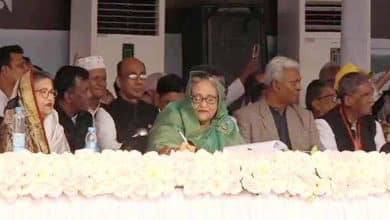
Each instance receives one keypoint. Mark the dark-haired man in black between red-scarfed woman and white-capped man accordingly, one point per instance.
(71, 83)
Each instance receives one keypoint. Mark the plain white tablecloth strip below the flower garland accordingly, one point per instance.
(178, 206)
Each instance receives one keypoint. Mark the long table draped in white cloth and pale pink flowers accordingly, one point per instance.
(224, 185)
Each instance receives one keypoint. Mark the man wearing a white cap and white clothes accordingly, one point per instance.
(105, 125)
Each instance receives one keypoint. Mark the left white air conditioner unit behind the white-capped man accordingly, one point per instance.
(115, 29)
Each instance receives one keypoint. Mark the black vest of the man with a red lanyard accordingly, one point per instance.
(343, 141)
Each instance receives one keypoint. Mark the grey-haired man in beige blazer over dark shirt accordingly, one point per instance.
(277, 116)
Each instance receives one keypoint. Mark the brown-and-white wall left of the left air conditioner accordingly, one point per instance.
(40, 27)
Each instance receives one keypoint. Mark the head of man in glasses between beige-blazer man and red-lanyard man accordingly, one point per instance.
(320, 98)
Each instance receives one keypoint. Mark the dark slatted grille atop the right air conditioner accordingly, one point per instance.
(323, 16)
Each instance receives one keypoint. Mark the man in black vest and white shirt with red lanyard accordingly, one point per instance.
(350, 126)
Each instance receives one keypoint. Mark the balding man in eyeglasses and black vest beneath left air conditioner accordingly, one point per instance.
(130, 113)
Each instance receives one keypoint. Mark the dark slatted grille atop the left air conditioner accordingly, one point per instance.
(137, 17)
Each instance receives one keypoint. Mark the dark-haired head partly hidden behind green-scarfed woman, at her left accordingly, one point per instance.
(170, 88)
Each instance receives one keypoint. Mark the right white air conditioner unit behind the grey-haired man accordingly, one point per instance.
(310, 32)
